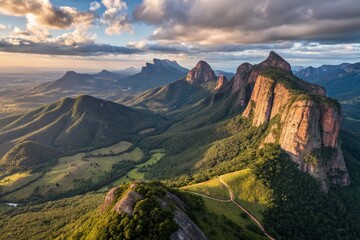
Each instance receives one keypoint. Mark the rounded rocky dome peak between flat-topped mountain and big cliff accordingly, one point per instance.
(201, 73)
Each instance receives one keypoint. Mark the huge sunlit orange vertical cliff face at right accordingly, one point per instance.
(306, 126)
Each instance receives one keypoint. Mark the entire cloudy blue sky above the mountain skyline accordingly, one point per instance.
(115, 34)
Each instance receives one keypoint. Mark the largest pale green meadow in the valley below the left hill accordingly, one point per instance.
(70, 171)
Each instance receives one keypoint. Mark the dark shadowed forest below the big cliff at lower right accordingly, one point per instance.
(299, 210)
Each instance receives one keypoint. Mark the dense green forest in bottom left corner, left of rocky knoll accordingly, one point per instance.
(47, 220)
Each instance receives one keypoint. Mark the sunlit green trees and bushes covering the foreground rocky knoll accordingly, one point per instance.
(149, 220)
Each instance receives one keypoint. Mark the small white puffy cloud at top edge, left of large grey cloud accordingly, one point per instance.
(115, 17)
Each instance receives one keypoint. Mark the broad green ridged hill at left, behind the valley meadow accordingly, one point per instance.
(70, 125)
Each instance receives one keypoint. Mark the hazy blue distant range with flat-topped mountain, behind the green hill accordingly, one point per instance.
(105, 84)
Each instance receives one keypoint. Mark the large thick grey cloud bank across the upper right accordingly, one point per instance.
(250, 21)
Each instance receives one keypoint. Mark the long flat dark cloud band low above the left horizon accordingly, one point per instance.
(17, 45)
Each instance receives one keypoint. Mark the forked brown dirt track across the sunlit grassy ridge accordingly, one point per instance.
(232, 199)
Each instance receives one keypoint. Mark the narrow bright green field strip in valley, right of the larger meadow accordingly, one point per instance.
(134, 174)
